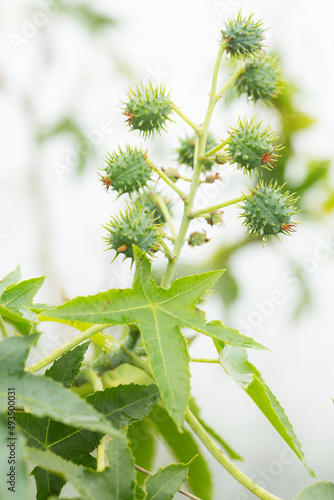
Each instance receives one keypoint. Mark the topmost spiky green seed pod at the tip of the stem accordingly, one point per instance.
(243, 36)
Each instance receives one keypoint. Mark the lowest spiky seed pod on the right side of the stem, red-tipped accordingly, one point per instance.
(268, 212)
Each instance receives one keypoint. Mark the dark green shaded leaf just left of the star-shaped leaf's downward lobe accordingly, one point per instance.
(125, 404)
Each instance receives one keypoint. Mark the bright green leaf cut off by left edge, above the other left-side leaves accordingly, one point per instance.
(16, 302)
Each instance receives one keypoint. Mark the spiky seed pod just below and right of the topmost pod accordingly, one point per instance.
(262, 79)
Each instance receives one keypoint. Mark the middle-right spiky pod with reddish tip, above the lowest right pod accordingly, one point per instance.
(251, 147)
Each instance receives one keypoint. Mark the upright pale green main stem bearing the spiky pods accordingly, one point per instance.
(200, 146)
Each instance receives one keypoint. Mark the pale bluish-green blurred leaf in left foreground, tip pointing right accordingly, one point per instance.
(41, 395)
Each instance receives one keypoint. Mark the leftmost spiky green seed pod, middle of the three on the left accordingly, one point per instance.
(126, 171)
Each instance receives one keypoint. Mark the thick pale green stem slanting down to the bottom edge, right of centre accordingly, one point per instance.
(226, 462)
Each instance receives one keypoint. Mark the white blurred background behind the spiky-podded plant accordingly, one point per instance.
(56, 69)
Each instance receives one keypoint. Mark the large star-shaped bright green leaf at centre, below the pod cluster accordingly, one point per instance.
(160, 314)
